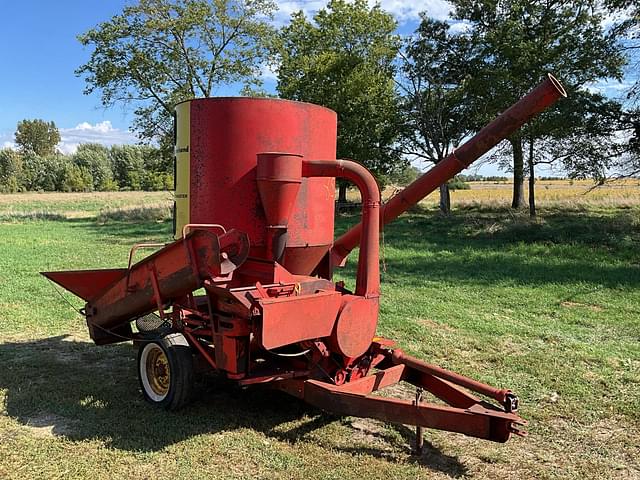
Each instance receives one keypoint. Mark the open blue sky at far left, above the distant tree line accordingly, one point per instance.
(39, 53)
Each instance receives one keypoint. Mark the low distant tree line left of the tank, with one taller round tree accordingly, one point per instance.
(38, 166)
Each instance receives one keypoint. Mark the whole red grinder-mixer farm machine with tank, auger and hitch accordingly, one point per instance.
(246, 287)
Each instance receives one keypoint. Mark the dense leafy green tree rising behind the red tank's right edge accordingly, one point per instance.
(343, 59)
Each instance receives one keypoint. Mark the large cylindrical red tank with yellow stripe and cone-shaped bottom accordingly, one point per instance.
(217, 142)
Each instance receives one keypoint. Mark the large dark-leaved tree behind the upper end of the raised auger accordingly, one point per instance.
(524, 39)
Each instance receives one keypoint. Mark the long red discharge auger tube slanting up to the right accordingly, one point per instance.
(541, 97)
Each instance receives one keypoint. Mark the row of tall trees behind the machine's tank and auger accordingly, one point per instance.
(398, 98)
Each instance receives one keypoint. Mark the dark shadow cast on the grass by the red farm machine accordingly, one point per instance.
(83, 392)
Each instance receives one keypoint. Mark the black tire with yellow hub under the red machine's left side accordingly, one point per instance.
(165, 371)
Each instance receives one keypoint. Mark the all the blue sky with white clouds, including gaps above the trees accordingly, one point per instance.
(39, 53)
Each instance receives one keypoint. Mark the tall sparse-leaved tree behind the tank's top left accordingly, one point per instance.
(157, 53)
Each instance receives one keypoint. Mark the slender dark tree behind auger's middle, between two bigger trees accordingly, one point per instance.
(436, 66)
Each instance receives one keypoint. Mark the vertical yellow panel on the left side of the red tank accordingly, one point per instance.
(183, 166)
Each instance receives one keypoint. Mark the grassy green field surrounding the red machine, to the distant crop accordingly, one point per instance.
(550, 308)
